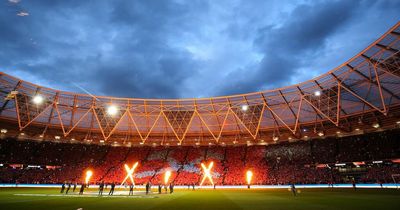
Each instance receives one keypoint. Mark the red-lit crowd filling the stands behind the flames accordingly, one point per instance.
(310, 161)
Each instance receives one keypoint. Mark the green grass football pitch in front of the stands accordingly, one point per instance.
(34, 198)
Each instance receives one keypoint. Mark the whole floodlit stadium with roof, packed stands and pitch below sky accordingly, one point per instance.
(331, 142)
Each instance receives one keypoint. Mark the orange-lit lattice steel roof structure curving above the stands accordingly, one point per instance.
(360, 95)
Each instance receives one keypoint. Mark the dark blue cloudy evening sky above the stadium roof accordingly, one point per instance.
(183, 48)
